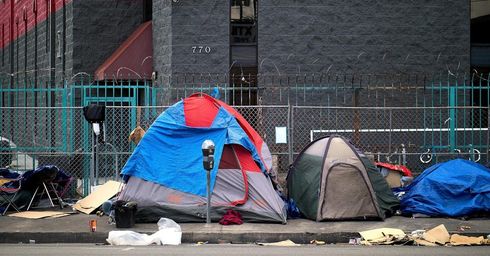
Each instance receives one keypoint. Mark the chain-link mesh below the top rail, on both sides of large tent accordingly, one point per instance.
(417, 137)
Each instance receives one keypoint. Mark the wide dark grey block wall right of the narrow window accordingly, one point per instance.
(363, 36)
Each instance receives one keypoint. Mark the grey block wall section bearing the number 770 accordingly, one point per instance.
(191, 36)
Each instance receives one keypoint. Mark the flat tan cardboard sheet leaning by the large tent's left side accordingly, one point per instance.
(103, 193)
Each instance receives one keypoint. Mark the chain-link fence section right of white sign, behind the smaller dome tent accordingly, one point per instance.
(417, 137)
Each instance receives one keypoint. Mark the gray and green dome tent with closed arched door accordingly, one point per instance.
(333, 180)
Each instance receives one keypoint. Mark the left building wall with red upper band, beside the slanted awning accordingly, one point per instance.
(53, 40)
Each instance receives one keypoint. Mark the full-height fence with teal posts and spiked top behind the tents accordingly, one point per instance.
(414, 119)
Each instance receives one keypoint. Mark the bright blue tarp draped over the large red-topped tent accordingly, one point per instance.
(170, 152)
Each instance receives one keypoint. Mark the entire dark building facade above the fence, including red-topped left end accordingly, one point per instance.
(237, 37)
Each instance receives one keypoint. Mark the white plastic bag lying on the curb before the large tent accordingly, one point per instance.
(169, 233)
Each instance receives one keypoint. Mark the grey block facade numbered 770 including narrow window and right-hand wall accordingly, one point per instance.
(311, 36)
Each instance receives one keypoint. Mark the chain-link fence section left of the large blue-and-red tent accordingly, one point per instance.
(61, 136)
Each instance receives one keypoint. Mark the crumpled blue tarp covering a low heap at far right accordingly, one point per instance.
(455, 188)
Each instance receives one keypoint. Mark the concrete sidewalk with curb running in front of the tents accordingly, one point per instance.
(75, 229)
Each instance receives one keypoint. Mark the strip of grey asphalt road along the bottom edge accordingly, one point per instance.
(228, 250)
